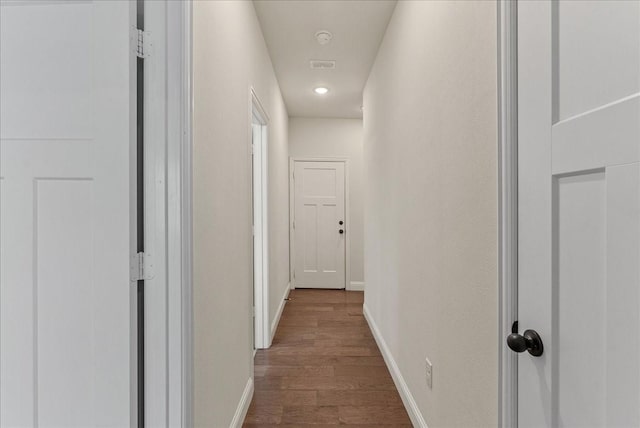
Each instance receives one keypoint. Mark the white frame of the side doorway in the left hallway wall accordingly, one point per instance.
(260, 222)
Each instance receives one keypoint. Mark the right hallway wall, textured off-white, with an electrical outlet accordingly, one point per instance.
(430, 138)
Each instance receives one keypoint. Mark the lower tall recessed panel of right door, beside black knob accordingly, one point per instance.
(580, 298)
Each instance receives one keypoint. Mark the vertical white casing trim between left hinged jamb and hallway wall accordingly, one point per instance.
(179, 215)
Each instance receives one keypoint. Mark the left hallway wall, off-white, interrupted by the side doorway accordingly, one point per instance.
(230, 56)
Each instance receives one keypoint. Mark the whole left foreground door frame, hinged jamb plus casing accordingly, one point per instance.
(169, 191)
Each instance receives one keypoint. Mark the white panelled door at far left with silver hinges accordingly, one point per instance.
(65, 198)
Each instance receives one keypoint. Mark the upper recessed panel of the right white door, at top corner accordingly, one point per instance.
(594, 43)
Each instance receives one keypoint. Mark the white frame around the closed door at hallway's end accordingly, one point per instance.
(347, 215)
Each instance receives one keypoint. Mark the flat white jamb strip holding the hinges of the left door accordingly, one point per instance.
(156, 222)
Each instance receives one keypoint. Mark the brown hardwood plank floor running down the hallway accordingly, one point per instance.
(324, 368)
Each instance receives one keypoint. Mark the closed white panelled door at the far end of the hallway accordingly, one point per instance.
(319, 225)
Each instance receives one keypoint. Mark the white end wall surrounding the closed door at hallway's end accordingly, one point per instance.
(315, 137)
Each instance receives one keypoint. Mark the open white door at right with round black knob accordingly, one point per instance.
(579, 212)
